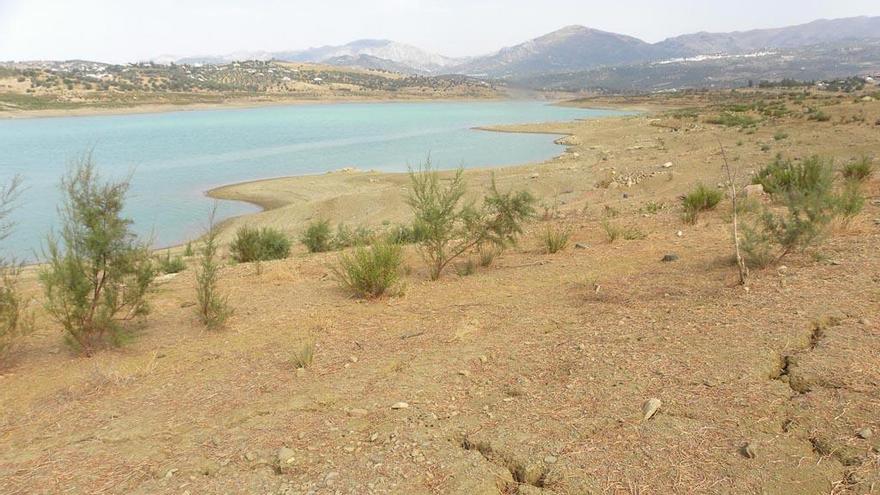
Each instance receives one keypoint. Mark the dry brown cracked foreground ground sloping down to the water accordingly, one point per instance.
(528, 377)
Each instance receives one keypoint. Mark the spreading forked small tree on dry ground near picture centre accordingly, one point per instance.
(451, 228)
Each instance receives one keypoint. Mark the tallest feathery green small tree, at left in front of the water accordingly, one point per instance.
(97, 274)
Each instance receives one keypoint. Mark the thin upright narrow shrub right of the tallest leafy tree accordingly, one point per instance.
(212, 305)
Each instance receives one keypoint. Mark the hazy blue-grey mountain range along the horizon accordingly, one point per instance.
(576, 51)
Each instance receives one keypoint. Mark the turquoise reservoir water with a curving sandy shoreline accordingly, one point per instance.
(175, 157)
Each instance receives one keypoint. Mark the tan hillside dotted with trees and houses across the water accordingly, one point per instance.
(80, 85)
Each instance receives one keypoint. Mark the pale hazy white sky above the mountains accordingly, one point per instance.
(127, 30)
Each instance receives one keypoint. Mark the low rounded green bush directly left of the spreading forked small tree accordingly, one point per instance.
(371, 271)
